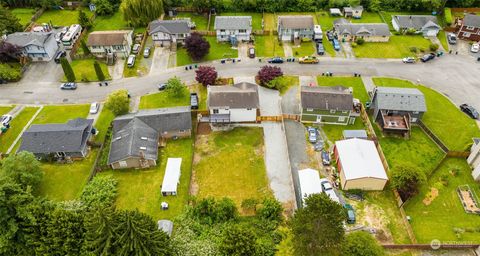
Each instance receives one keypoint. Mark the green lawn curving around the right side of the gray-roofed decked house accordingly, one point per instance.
(453, 127)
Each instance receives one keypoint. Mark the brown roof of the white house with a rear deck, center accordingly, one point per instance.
(241, 95)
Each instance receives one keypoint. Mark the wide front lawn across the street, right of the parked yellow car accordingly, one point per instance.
(397, 47)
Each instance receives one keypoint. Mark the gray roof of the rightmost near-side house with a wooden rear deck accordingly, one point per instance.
(401, 99)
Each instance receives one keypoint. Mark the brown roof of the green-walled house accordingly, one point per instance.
(326, 98)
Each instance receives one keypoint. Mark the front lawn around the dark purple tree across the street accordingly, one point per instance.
(217, 51)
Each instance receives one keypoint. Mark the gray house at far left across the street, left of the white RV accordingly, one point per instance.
(38, 46)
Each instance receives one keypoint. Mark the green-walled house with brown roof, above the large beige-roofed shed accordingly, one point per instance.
(325, 104)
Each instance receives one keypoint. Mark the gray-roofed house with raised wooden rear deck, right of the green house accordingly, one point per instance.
(396, 108)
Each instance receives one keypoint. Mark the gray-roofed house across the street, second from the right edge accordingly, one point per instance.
(427, 25)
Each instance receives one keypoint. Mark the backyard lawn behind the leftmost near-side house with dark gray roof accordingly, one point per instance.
(63, 182)
